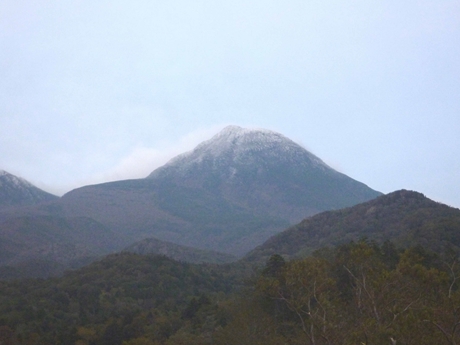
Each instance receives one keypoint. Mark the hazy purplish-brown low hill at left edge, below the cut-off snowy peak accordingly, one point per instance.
(54, 242)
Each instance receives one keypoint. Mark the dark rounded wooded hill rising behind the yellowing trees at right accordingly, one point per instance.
(406, 218)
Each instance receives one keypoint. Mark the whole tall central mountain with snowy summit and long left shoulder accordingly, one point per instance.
(229, 194)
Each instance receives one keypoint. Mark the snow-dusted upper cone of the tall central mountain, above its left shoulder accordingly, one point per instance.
(265, 172)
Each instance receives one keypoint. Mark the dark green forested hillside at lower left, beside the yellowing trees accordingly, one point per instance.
(123, 297)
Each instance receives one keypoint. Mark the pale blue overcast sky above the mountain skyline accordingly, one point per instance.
(93, 91)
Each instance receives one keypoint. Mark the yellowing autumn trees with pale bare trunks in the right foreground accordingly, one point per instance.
(361, 296)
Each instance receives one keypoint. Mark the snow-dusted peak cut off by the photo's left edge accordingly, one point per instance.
(15, 191)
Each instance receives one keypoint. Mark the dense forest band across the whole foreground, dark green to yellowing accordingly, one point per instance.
(357, 293)
